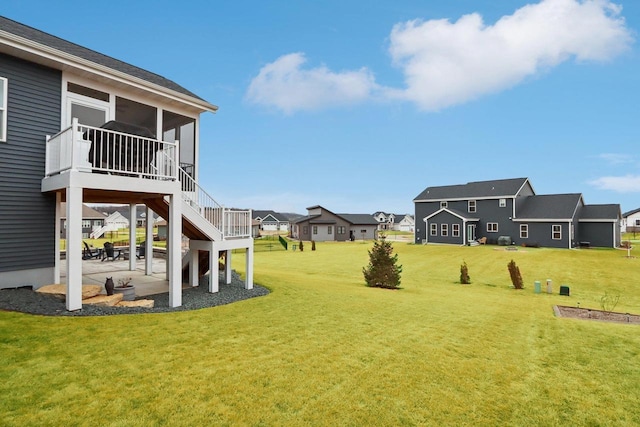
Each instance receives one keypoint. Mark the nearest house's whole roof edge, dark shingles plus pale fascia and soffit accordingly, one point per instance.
(22, 40)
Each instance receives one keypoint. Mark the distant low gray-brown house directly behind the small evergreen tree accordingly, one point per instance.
(321, 224)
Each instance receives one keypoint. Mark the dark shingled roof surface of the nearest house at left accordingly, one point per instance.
(70, 48)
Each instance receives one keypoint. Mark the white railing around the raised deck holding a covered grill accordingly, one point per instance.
(91, 149)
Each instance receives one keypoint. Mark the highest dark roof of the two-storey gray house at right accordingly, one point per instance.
(478, 189)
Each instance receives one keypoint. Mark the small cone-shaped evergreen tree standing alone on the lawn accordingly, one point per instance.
(383, 270)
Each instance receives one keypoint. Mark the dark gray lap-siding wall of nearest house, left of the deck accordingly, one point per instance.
(27, 217)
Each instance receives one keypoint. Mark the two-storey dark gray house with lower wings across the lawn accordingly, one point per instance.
(509, 211)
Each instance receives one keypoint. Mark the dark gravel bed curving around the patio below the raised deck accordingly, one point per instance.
(25, 300)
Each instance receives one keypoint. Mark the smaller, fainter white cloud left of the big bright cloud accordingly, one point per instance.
(285, 85)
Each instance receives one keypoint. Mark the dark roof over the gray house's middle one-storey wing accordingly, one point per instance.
(550, 206)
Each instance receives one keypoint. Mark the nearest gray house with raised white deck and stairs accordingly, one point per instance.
(77, 126)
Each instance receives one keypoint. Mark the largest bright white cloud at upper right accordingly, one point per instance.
(451, 63)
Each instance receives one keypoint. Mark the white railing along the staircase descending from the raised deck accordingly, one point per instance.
(232, 223)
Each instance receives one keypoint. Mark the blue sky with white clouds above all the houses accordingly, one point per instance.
(358, 106)
